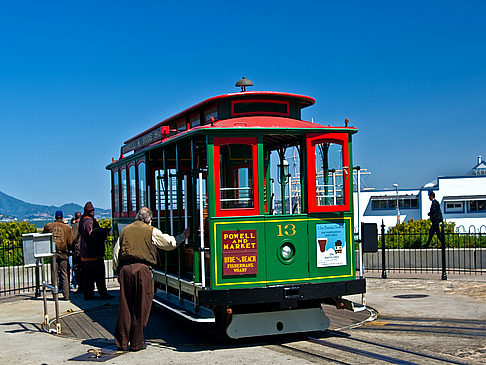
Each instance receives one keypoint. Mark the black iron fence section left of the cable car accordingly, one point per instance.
(15, 278)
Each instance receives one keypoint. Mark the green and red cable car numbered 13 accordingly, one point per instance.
(267, 197)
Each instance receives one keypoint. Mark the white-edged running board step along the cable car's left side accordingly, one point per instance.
(183, 307)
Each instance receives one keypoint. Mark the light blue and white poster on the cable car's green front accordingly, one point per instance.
(331, 244)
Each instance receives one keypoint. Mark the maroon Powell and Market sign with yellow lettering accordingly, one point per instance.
(240, 252)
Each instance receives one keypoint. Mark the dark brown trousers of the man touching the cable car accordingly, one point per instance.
(136, 294)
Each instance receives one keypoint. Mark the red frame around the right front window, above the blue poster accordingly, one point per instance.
(311, 140)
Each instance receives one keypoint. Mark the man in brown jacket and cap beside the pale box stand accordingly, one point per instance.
(63, 237)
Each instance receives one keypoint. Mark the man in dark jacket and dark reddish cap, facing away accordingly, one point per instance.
(92, 248)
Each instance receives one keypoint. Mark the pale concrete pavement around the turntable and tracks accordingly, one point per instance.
(24, 342)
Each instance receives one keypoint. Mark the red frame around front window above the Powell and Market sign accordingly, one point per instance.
(219, 141)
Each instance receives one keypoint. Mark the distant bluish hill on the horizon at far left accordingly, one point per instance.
(11, 207)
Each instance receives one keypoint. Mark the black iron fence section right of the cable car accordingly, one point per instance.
(460, 252)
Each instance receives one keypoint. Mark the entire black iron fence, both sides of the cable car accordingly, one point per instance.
(463, 252)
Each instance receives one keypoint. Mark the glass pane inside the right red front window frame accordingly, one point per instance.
(329, 174)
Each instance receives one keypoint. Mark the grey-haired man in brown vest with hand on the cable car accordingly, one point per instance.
(134, 255)
